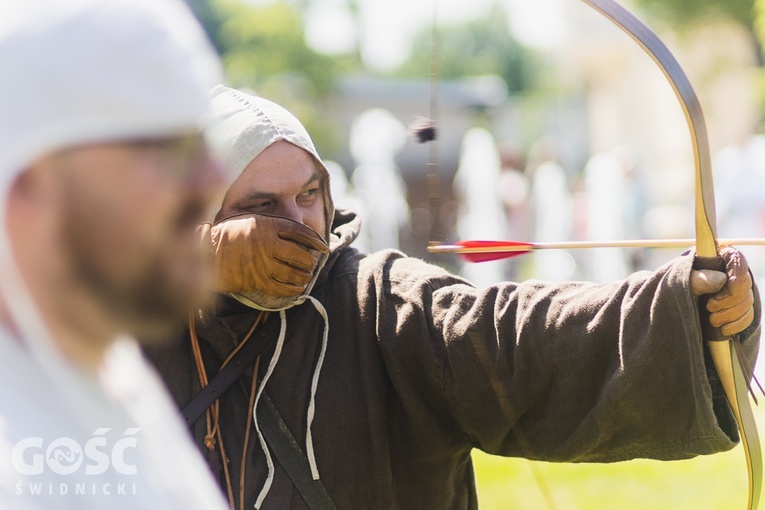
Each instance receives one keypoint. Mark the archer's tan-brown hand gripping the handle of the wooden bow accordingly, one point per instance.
(731, 305)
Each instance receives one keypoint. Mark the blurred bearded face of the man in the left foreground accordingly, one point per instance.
(128, 222)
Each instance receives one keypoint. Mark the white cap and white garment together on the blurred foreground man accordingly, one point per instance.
(78, 72)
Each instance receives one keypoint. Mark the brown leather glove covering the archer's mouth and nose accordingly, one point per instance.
(270, 254)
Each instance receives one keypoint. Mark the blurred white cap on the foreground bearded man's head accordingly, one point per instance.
(80, 71)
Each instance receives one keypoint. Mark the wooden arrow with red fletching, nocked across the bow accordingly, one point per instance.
(484, 251)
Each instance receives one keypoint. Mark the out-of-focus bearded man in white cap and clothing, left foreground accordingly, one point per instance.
(105, 178)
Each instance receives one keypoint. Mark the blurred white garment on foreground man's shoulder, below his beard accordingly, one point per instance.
(112, 440)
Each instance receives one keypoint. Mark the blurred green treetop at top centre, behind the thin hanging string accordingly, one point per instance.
(482, 46)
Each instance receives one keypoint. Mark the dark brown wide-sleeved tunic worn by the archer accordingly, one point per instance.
(422, 367)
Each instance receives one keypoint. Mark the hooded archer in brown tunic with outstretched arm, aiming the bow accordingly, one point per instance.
(373, 377)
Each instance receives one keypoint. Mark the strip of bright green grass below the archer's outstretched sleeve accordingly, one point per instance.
(705, 483)
